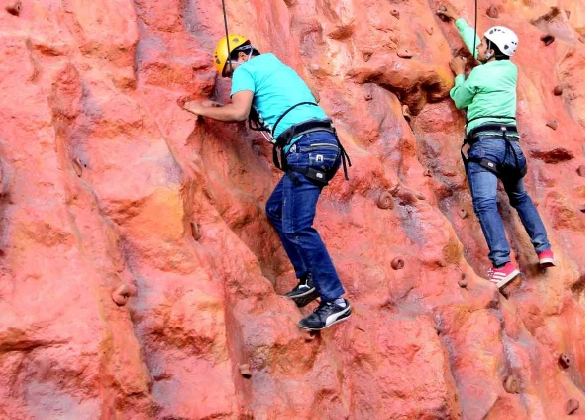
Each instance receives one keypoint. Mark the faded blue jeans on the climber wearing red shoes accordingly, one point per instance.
(483, 185)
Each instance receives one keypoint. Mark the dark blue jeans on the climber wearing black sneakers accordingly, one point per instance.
(291, 211)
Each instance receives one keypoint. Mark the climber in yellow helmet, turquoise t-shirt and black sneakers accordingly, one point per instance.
(312, 154)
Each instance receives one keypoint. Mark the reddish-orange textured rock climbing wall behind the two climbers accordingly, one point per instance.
(106, 182)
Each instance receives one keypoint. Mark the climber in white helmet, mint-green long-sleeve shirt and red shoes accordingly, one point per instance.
(489, 96)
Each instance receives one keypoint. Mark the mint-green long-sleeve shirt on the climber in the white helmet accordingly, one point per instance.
(490, 89)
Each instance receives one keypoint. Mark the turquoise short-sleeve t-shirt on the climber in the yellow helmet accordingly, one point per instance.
(276, 88)
